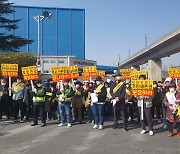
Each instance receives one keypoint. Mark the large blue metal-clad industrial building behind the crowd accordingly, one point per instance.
(62, 35)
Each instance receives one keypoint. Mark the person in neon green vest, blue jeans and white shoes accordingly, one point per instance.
(65, 94)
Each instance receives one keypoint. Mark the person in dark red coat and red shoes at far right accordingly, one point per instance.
(172, 102)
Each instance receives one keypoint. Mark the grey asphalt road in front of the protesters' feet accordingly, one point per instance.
(82, 139)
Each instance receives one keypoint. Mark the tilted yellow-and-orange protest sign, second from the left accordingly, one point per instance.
(30, 73)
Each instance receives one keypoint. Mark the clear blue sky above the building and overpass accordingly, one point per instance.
(115, 29)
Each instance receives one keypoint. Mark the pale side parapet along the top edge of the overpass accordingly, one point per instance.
(154, 44)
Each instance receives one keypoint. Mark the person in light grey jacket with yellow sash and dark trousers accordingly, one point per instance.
(19, 98)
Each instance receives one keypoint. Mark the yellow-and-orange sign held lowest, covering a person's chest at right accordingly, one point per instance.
(142, 87)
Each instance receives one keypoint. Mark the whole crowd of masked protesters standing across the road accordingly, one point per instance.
(93, 102)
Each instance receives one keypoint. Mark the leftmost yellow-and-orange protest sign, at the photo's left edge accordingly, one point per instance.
(9, 70)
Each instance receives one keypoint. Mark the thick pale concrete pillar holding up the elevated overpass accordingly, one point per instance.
(155, 70)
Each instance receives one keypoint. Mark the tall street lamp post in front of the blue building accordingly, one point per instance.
(40, 18)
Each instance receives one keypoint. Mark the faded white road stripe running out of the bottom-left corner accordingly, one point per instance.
(35, 142)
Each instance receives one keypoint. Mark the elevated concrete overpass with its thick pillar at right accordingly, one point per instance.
(152, 54)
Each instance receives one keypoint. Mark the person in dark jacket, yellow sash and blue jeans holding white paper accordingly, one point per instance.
(98, 103)
